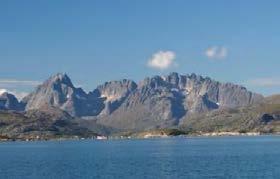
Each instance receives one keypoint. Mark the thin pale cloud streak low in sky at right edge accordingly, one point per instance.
(265, 82)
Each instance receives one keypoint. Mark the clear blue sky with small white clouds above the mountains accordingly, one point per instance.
(99, 40)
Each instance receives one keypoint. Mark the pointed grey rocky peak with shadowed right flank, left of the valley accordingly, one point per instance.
(58, 91)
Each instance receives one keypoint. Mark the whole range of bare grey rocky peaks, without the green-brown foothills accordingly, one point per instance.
(155, 102)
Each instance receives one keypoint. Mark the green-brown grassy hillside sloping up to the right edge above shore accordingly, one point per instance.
(263, 117)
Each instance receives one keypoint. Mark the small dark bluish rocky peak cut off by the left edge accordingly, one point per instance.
(10, 102)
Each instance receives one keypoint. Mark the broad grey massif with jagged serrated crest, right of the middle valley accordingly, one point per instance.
(161, 101)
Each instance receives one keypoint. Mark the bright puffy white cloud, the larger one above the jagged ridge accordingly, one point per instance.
(162, 60)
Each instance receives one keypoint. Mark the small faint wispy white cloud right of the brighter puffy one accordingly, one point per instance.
(216, 52)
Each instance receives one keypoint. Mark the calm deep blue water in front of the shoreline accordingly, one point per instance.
(221, 157)
